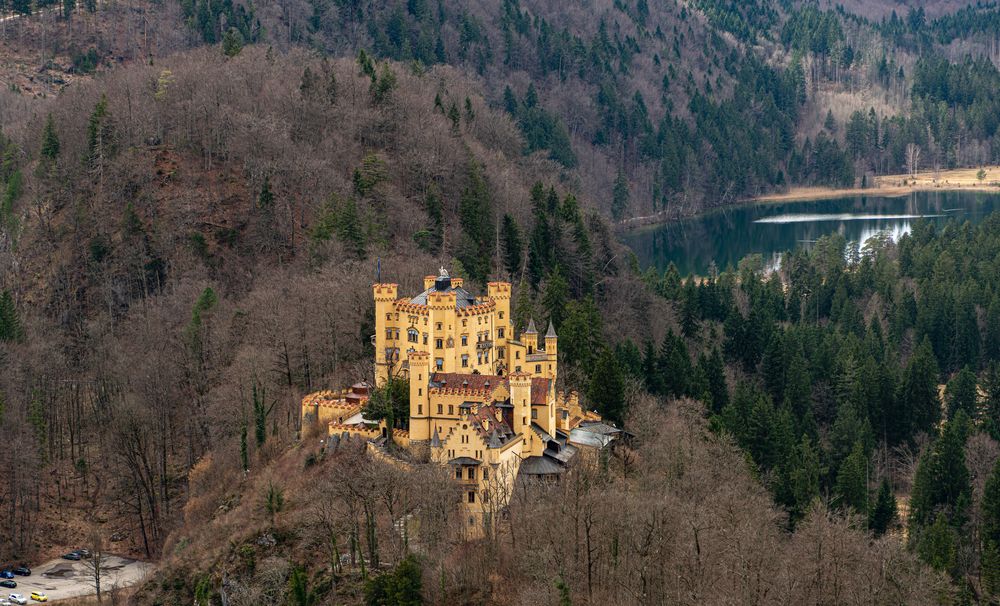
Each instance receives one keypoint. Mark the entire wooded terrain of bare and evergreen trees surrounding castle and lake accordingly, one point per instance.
(191, 222)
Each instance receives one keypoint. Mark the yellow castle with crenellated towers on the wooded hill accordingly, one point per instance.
(482, 399)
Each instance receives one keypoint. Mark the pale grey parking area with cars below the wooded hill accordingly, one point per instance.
(60, 579)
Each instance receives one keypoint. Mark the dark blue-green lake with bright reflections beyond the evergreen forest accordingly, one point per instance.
(727, 235)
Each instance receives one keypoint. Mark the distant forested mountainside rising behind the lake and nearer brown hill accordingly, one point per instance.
(682, 105)
